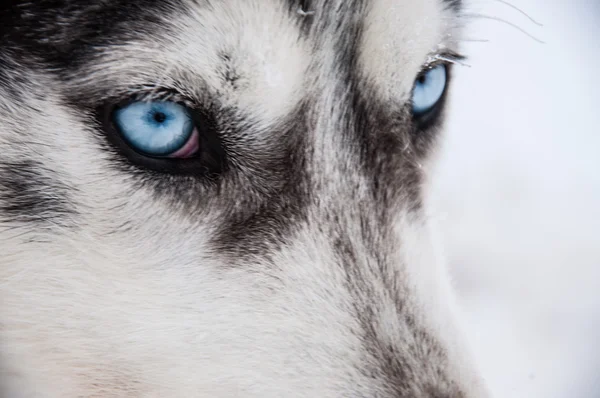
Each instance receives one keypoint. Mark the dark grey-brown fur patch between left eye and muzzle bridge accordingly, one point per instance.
(276, 195)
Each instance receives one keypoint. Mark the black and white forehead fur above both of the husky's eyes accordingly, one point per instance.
(260, 56)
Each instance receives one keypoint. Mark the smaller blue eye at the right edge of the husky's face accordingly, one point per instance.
(429, 89)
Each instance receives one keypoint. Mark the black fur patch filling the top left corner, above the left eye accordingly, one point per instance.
(65, 32)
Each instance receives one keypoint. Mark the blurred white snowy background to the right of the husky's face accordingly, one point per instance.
(517, 194)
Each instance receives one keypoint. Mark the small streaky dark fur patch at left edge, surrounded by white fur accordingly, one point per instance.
(30, 193)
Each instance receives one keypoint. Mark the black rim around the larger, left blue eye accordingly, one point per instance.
(209, 162)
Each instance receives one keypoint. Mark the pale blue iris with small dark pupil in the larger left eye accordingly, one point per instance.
(155, 128)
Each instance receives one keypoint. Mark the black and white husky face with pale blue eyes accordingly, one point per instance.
(269, 240)
